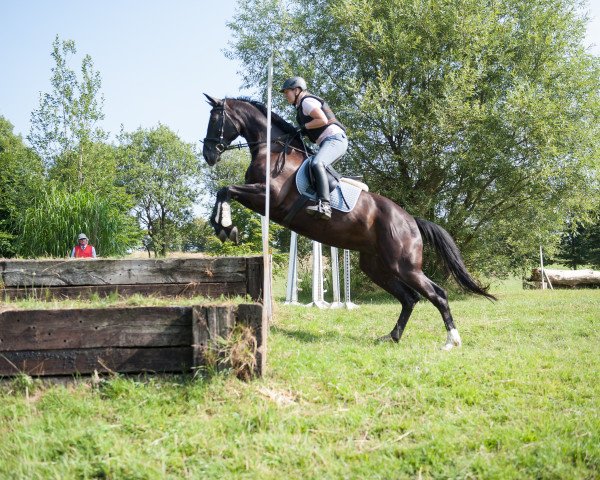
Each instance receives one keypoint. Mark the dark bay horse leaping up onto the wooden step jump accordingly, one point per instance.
(389, 240)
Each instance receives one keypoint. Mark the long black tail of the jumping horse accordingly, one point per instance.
(444, 245)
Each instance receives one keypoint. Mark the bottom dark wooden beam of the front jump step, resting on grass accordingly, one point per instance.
(85, 361)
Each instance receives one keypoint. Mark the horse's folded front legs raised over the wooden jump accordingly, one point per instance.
(251, 196)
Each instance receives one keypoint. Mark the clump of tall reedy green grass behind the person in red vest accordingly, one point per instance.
(49, 227)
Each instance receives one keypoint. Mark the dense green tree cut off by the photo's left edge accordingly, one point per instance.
(21, 181)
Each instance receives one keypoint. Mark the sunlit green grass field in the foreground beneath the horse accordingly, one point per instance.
(520, 399)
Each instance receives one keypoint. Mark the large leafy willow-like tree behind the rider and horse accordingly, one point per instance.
(480, 116)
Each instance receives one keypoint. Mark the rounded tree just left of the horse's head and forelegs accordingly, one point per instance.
(159, 171)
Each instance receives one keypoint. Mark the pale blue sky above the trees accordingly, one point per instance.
(155, 58)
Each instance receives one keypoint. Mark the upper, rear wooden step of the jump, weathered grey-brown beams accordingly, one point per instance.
(79, 278)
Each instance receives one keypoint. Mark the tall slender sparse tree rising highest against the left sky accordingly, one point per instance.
(65, 127)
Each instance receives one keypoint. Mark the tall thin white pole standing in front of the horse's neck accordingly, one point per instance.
(265, 220)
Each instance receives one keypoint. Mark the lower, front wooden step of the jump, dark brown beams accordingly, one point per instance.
(125, 340)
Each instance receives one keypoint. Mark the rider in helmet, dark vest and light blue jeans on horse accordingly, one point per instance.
(319, 124)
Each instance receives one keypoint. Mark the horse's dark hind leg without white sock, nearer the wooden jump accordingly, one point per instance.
(387, 280)
